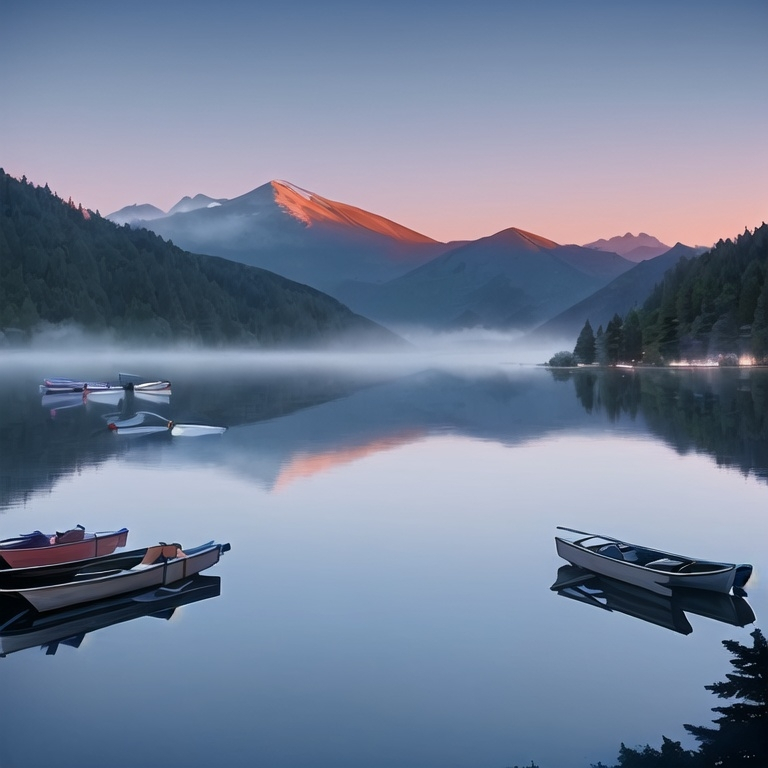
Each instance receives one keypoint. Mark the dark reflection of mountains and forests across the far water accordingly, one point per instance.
(293, 423)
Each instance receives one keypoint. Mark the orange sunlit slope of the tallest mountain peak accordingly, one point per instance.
(311, 208)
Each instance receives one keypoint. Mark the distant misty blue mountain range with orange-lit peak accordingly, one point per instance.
(512, 279)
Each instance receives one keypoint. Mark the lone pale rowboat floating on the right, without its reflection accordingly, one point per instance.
(652, 569)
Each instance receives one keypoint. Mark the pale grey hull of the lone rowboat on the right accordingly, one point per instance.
(720, 578)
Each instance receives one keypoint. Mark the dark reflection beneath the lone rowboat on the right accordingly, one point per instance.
(664, 611)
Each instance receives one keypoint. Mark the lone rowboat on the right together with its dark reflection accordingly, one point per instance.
(651, 584)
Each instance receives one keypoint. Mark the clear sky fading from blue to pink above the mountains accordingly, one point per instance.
(571, 120)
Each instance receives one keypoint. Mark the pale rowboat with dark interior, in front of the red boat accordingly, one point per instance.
(50, 588)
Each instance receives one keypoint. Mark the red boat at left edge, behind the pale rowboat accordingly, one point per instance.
(39, 548)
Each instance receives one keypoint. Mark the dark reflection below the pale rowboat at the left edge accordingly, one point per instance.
(23, 627)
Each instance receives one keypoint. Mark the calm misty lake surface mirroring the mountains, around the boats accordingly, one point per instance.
(386, 600)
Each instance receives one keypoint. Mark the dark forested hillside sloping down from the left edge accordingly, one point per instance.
(62, 264)
